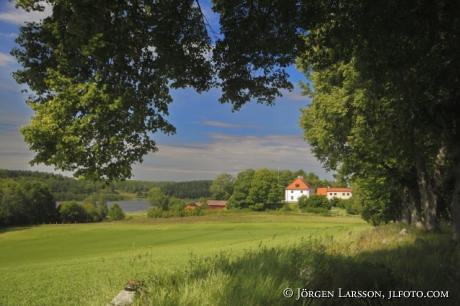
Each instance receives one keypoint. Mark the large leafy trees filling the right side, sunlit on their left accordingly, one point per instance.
(383, 102)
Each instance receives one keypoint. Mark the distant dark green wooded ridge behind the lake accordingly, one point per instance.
(67, 188)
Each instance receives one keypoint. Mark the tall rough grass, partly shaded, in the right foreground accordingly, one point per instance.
(364, 266)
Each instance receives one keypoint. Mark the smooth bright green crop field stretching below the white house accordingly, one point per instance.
(88, 264)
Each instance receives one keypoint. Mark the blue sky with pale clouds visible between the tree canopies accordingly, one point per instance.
(210, 139)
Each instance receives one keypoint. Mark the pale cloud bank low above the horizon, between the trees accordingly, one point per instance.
(230, 154)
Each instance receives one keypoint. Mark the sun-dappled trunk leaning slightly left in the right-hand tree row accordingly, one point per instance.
(426, 193)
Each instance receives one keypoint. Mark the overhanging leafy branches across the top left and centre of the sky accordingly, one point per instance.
(101, 71)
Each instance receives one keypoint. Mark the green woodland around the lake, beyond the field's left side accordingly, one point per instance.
(29, 197)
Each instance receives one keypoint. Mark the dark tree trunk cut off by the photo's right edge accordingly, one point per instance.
(455, 204)
